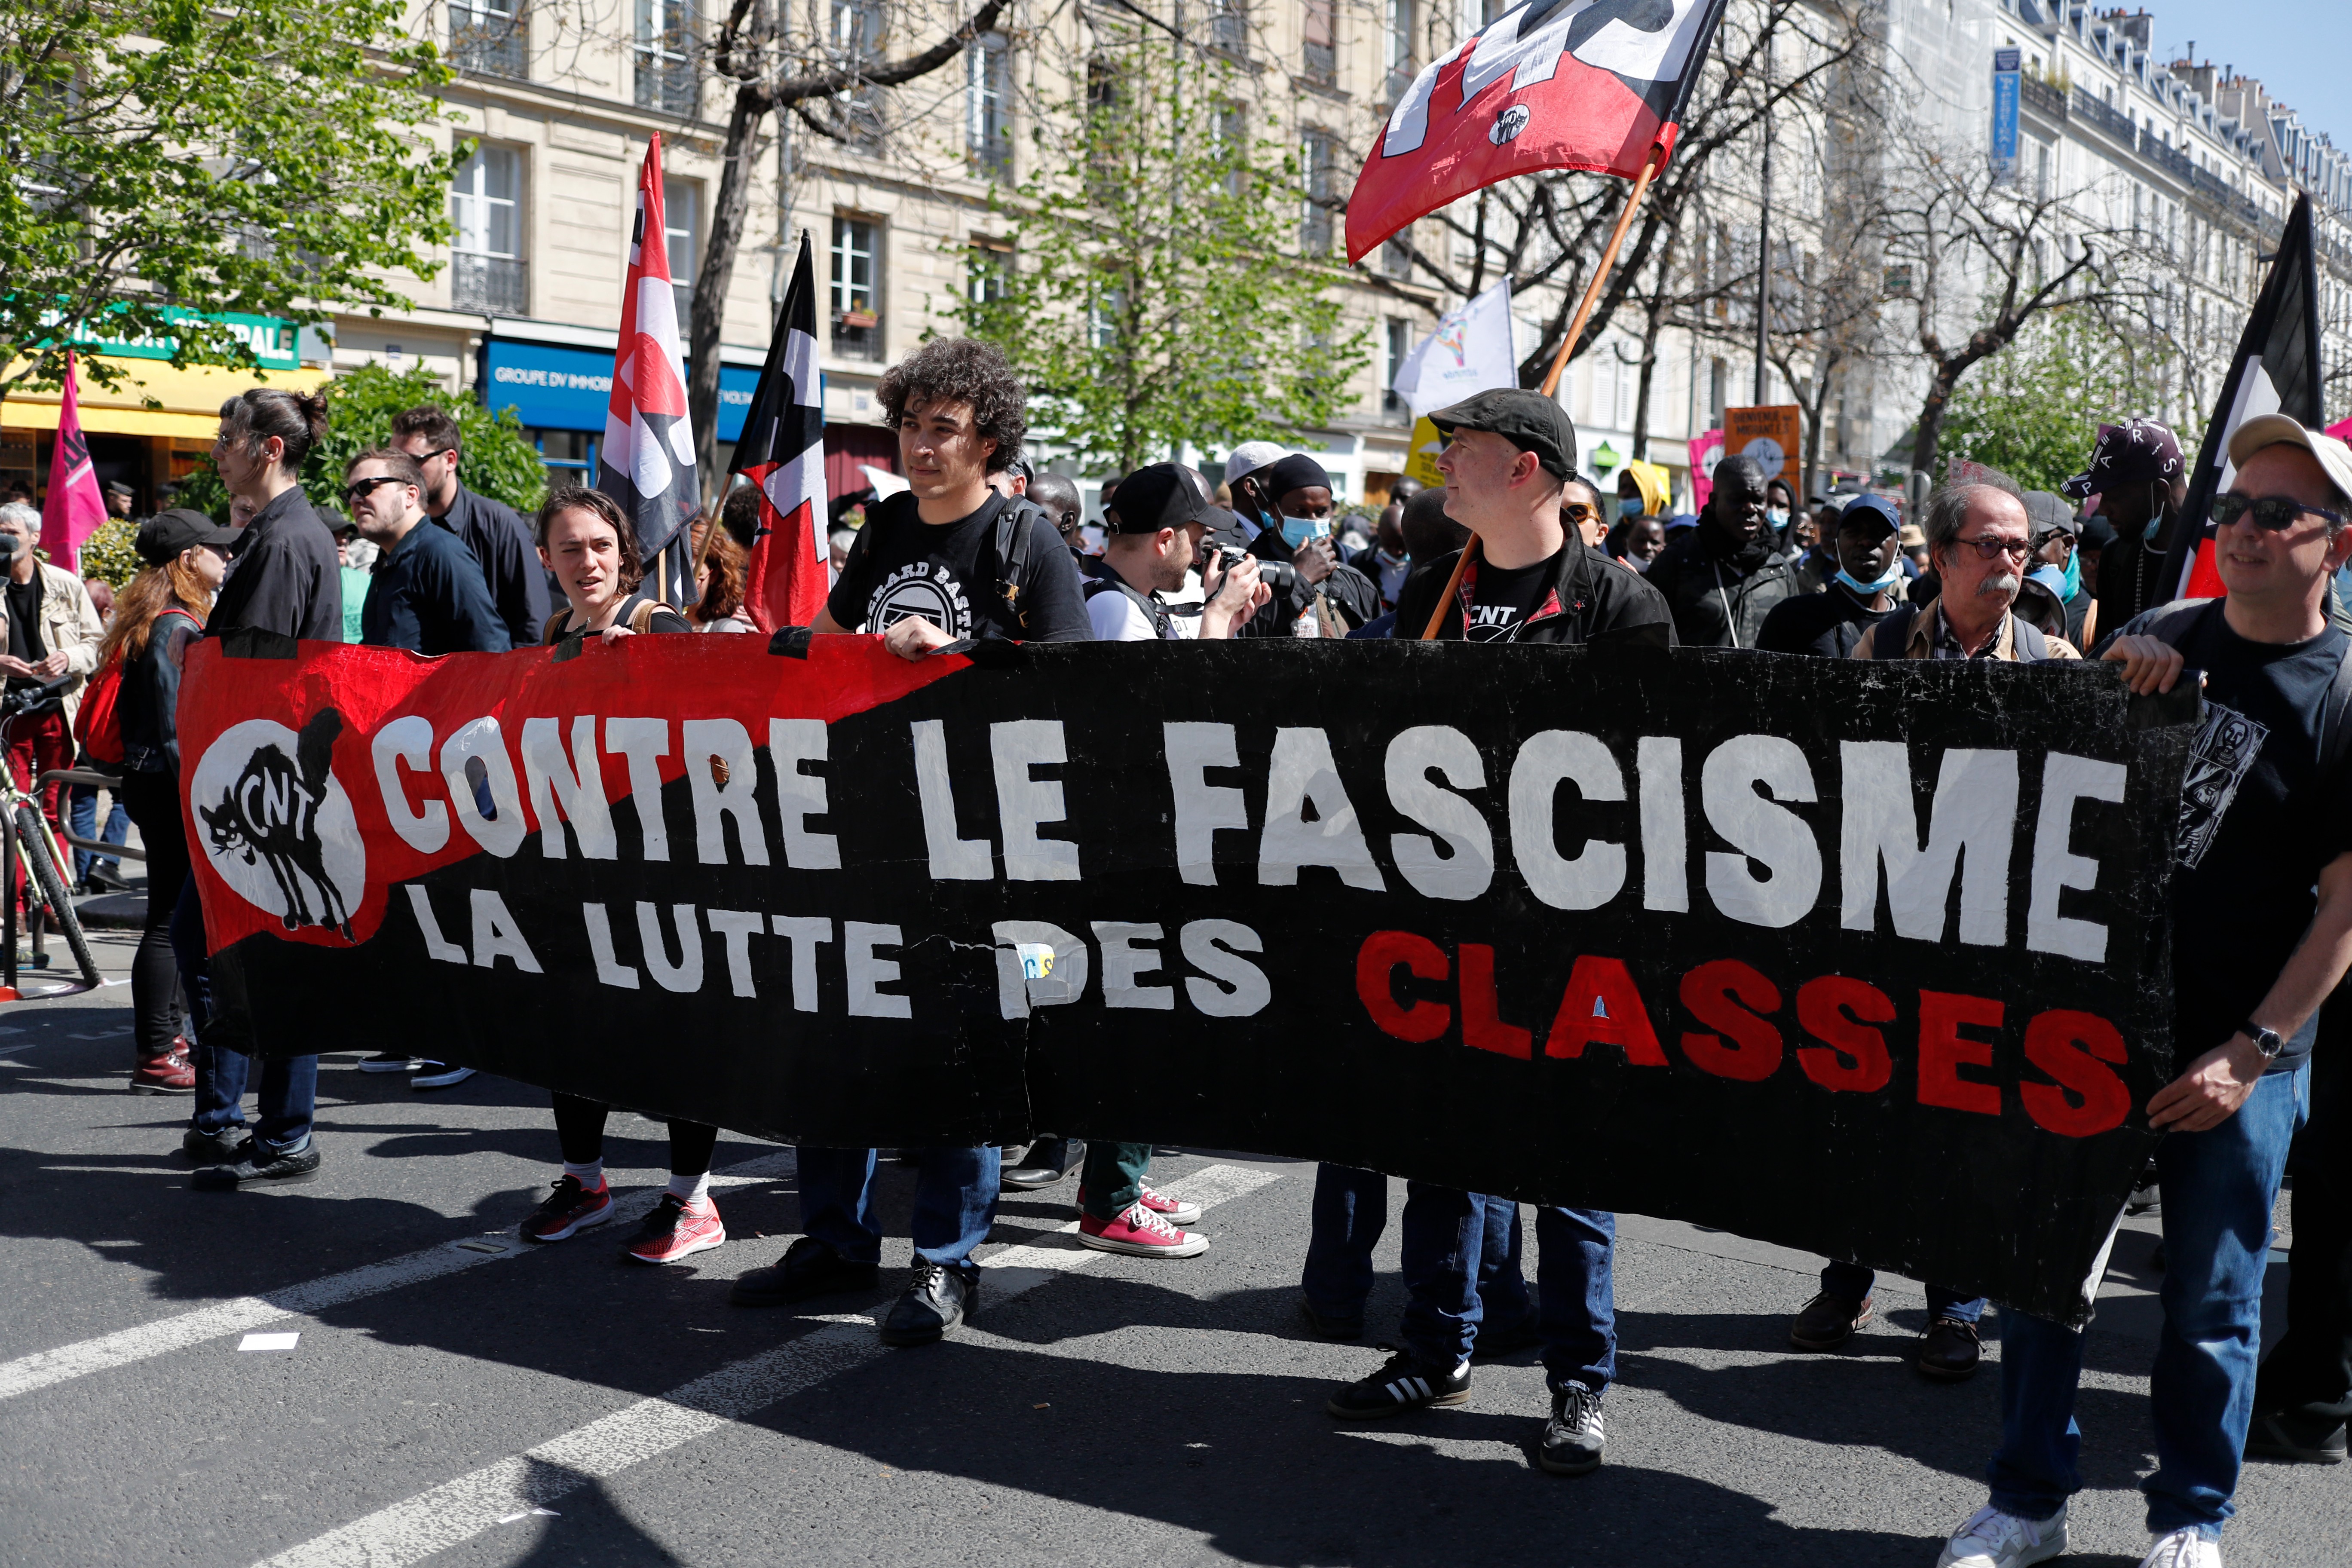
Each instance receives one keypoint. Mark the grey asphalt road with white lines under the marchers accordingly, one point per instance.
(505, 1405)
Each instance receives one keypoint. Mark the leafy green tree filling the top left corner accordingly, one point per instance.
(189, 159)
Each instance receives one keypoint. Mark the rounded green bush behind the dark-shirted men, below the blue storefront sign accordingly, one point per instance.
(497, 462)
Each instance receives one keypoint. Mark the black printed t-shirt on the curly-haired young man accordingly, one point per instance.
(949, 575)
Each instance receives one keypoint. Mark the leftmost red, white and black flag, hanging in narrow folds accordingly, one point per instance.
(648, 460)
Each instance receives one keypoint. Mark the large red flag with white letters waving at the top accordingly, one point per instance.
(1549, 86)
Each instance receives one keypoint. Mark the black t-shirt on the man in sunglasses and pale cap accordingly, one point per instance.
(2259, 822)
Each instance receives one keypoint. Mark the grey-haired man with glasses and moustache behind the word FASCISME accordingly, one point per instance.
(1979, 544)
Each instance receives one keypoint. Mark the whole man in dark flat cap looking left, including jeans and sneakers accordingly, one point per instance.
(1528, 579)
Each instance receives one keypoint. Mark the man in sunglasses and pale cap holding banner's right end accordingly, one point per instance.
(2261, 911)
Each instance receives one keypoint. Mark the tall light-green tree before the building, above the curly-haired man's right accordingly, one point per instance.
(1165, 279)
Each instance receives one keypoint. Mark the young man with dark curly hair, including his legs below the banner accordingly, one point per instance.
(940, 563)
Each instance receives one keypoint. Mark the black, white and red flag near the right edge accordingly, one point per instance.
(2276, 373)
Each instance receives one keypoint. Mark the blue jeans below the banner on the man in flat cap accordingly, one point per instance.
(1445, 1242)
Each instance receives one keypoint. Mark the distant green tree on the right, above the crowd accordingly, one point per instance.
(2036, 410)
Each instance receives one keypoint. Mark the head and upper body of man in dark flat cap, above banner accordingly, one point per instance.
(1509, 455)
